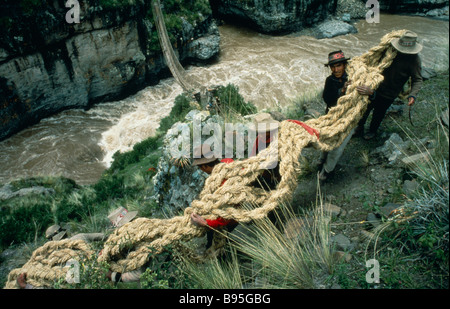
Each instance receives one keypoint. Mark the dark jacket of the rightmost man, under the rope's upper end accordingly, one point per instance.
(402, 68)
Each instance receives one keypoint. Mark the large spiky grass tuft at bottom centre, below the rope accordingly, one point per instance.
(295, 260)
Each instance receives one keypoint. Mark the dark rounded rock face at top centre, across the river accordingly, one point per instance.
(273, 16)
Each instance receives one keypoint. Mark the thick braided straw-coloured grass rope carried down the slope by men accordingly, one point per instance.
(129, 247)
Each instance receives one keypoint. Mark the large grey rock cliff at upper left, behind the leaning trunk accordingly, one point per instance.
(48, 65)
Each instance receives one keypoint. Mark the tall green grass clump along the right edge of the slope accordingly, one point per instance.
(421, 224)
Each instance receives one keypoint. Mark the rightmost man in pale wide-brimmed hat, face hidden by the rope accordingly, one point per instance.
(406, 64)
